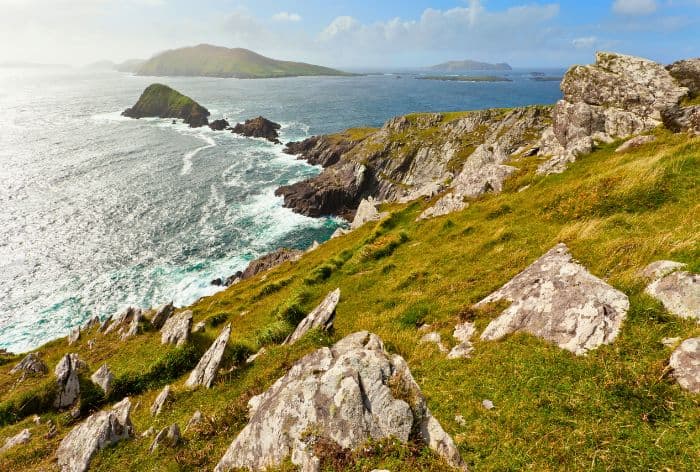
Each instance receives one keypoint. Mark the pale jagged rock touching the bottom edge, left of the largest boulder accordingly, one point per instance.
(100, 430)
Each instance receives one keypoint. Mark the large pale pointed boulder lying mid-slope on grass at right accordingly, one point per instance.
(557, 299)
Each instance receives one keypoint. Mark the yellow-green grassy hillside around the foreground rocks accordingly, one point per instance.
(615, 409)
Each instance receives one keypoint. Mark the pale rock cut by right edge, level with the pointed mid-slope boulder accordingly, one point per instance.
(677, 290)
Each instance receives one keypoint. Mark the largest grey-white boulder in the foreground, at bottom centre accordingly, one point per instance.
(342, 394)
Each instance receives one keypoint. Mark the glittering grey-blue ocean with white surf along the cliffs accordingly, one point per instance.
(99, 212)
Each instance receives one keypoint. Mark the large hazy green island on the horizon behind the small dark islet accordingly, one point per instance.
(213, 61)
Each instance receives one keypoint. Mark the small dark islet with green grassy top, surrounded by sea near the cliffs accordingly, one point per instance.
(161, 101)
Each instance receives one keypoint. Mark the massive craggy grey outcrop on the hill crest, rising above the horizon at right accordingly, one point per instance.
(616, 97)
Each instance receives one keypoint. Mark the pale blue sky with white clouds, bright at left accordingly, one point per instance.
(353, 33)
